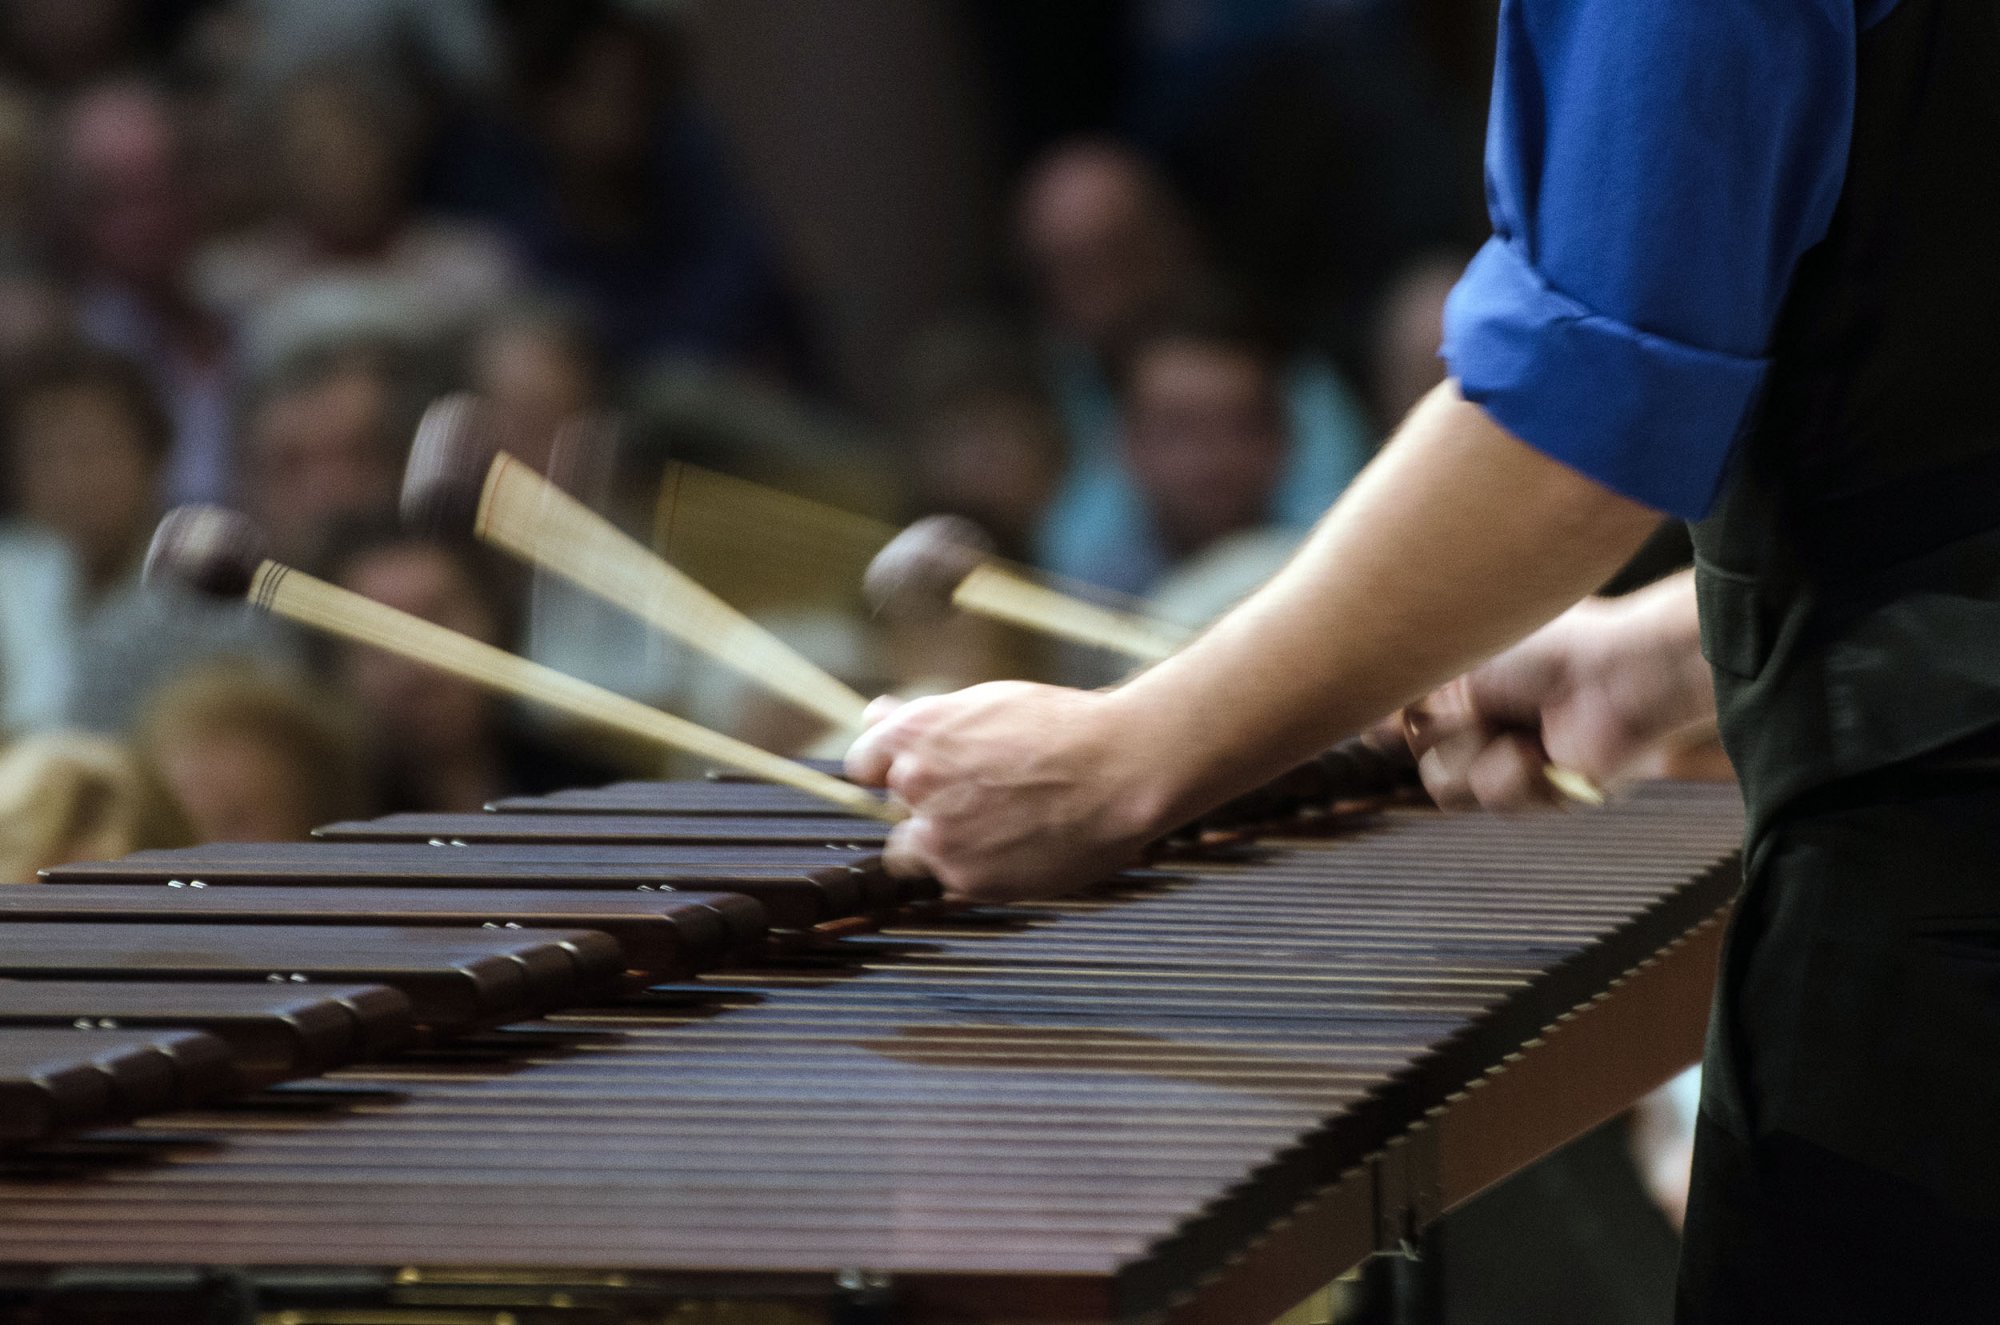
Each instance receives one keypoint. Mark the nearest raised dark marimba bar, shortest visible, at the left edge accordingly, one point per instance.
(55, 1080)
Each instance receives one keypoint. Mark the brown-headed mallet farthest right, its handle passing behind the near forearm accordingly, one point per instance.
(947, 561)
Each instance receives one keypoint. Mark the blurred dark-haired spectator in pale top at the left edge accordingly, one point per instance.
(81, 641)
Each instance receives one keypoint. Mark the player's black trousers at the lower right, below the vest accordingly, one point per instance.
(1849, 1150)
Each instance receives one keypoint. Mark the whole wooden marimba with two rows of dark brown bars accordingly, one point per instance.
(687, 1054)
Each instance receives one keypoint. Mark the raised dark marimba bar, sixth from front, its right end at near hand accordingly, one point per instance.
(631, 830)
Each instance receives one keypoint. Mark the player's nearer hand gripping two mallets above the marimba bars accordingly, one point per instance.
(1015, 790)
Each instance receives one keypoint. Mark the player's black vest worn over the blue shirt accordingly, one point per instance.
(1851, 571)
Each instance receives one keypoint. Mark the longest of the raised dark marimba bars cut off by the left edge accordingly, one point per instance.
(661, 936)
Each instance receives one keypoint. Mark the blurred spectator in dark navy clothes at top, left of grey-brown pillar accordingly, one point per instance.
(613, 187)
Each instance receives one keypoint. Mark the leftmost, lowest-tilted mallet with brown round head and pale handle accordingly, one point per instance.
(217, 551)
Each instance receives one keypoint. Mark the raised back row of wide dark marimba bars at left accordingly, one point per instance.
(175, 978)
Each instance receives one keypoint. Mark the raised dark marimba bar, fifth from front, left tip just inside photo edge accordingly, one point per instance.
(795, 894)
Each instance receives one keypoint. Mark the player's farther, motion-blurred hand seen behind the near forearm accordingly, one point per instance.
(1607, 690)
